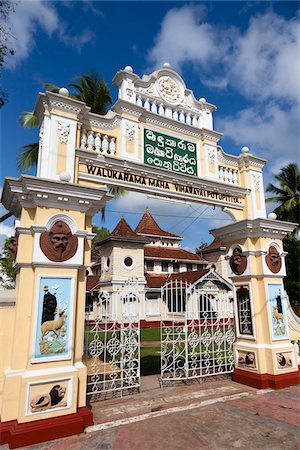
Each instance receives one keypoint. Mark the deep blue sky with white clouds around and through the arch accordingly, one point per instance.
(241, 56)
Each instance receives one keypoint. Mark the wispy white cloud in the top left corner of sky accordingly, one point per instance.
(33, 15)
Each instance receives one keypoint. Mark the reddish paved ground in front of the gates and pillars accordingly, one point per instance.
(216, 415)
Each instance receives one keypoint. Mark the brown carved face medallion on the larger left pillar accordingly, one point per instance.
(59, 244)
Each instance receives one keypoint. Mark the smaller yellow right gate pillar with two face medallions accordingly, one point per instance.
(264, 354)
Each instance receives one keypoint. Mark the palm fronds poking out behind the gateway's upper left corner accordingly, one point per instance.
(90, 88)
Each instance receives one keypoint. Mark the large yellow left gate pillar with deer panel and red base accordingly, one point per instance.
(44, 384)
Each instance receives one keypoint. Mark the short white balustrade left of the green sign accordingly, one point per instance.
(97, 142)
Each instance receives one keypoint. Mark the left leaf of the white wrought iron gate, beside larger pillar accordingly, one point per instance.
(112, 344)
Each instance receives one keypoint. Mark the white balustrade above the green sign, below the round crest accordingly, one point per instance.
(199, 120)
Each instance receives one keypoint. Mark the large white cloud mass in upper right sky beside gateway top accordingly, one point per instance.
(261, 63)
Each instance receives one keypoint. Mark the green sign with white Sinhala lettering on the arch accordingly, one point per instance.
(170, 153)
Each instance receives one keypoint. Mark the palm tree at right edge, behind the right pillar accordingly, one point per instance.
(287, 194)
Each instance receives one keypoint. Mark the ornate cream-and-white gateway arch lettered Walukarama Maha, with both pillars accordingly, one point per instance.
(157, 139)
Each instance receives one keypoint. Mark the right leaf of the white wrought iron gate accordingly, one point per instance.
(197, 334)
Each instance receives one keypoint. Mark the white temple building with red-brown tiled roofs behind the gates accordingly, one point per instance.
(153, 259)
